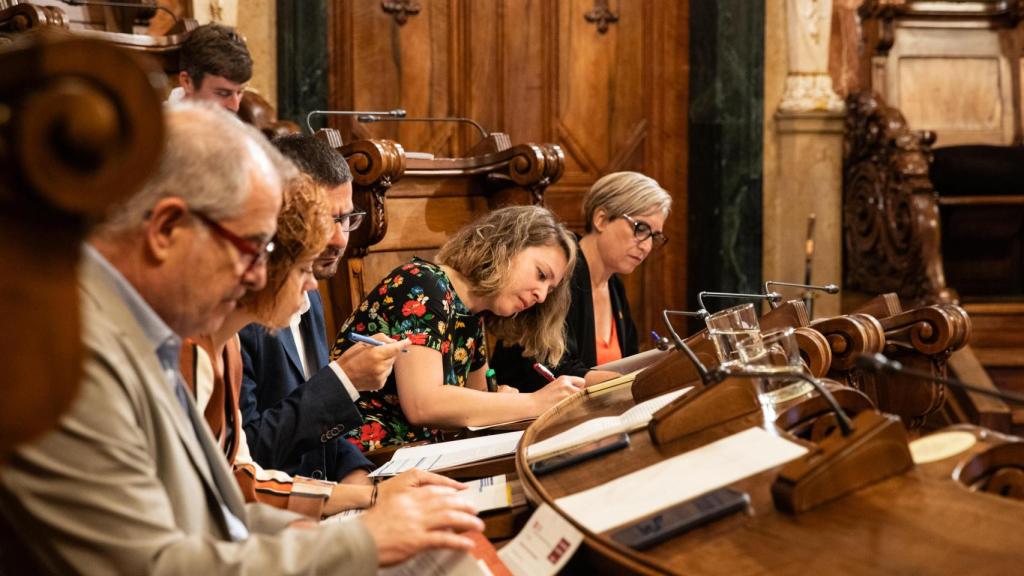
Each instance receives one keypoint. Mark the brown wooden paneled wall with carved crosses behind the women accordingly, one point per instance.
(613, 93)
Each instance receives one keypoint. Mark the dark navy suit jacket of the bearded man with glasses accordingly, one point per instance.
(292, 425)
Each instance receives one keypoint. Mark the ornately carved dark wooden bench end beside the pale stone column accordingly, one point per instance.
(890, 210)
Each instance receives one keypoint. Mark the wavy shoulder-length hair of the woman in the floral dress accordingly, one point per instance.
(483, 253)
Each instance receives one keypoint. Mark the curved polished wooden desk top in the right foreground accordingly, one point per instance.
(921, 522)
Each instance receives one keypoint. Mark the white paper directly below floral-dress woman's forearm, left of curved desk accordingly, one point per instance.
(449, 455)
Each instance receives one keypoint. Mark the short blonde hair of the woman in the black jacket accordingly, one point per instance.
(625, 193)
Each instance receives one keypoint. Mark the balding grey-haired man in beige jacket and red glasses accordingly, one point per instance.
(132, 481)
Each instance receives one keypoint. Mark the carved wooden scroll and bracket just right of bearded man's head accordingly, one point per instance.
(376, 166)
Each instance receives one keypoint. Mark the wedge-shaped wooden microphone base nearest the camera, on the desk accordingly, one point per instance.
(838, 466)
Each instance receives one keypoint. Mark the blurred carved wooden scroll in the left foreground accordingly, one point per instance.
(81, 129)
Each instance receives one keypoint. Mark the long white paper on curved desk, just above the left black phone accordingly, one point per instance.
(596, 429)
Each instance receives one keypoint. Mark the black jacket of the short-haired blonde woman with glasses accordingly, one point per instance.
(581, 337)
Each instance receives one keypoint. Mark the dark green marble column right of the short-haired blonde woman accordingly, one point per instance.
(727, 124)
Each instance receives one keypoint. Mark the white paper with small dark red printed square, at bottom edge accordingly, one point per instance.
(543, 547)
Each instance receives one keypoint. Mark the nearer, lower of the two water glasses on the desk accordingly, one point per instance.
(775, 354)
